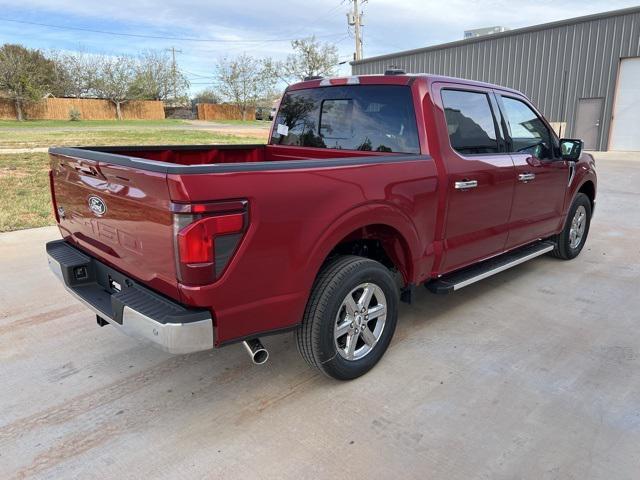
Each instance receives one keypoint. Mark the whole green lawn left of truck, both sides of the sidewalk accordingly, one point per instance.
(24, 181)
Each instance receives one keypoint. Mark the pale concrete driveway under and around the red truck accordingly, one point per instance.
(532, 374)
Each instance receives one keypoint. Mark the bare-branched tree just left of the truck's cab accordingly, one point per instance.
(244, 81)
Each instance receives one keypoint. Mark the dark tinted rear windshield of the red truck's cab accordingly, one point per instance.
(377, 118)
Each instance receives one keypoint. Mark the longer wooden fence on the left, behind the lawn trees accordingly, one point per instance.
(89, 108)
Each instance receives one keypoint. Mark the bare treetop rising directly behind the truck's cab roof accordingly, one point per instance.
(310, 58)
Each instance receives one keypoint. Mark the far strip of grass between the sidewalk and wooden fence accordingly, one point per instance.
(156, 136)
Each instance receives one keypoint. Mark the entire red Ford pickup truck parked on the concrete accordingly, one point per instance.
(368, 187)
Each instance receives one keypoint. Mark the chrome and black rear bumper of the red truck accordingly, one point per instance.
(130, 307)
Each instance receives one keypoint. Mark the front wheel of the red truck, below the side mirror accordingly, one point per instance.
(570, 241)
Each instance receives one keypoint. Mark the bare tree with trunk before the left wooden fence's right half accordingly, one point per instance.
(114, 80)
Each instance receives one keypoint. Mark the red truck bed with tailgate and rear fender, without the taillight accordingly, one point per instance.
(285, 191)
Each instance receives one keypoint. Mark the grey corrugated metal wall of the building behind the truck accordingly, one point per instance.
(553, 66)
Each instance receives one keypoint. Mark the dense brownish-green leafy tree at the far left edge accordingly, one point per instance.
(25, 75)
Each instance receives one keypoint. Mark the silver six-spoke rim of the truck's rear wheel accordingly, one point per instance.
(360, 321)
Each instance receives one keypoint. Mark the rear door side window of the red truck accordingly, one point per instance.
(470, 122)
